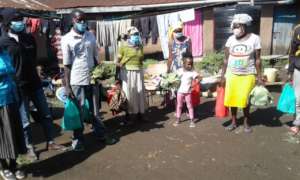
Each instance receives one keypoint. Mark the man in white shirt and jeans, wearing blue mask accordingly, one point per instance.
(79, 51)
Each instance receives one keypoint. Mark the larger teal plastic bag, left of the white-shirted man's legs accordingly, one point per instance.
(71, 119)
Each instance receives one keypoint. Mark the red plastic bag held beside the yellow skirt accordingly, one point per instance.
(220, 110)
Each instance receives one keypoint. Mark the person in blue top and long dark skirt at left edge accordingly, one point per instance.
(12, 141)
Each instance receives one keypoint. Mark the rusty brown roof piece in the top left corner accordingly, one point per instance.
(25, 4)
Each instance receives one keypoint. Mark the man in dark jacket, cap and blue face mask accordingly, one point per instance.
(22, 48)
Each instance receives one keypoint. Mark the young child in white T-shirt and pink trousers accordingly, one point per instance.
(187, 75)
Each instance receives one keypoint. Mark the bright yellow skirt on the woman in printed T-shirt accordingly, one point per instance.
(237, 90)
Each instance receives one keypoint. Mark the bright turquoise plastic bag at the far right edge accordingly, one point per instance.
(287, 100)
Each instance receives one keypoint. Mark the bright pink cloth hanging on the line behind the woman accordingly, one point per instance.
(194, 30)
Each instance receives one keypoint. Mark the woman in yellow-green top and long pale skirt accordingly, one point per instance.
(130, 61)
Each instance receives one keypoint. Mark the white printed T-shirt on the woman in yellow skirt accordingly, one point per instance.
(241, 59)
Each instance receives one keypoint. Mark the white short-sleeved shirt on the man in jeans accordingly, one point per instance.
(79, 51)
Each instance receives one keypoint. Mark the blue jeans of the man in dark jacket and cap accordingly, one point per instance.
(39, 100)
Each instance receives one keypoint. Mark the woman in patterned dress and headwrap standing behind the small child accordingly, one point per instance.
(179, 45)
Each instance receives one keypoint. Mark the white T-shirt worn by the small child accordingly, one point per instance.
(186, 79)
